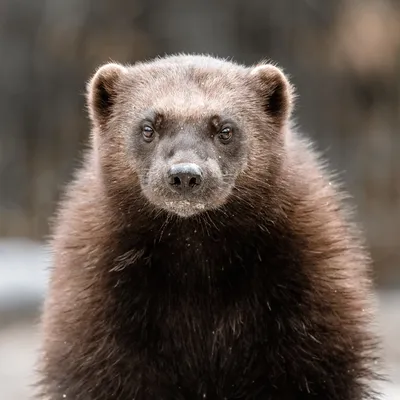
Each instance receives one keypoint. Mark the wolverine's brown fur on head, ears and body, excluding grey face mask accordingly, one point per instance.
(265, 296)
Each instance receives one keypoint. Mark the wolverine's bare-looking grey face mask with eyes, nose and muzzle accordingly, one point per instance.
(188, 165)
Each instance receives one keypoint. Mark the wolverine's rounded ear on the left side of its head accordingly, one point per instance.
(101, 91)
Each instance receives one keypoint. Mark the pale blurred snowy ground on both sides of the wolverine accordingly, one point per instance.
(23, 277)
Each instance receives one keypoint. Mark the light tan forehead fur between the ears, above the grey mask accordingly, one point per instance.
(186, 93)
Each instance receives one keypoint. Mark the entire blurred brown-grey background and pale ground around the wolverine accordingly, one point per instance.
(342, 55)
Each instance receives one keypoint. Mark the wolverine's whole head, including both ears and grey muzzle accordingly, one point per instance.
(189, 126)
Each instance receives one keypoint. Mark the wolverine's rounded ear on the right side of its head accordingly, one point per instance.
(276, 91)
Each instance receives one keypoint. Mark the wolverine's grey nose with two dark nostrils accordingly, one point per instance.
(185, 177)
